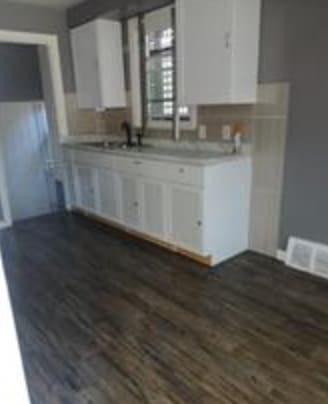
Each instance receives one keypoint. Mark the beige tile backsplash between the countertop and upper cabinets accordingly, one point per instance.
(272, 105)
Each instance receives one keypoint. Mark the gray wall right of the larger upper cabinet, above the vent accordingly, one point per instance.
(294, 48)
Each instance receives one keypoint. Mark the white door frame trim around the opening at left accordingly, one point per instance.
(51, 44)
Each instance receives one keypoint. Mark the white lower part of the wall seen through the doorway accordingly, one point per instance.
(25, 143)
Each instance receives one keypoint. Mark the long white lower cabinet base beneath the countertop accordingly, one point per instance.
(202, 210)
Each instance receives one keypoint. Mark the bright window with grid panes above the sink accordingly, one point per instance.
(159, 73)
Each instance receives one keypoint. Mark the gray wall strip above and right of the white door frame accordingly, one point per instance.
(29, 18)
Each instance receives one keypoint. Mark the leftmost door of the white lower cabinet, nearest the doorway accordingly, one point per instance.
(86, 184)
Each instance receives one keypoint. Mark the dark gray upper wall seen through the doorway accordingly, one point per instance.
(20, 78)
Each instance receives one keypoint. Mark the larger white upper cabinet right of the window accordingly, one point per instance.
(217, 51)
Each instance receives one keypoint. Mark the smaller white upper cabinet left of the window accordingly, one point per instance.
(98, 64)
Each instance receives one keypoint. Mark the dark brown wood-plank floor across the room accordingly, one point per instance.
(105, 319)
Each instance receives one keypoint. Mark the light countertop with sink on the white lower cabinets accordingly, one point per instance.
(192, 157)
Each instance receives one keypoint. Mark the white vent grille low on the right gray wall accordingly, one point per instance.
(307, 256)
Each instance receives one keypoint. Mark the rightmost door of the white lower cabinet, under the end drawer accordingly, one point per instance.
(186, 227)
